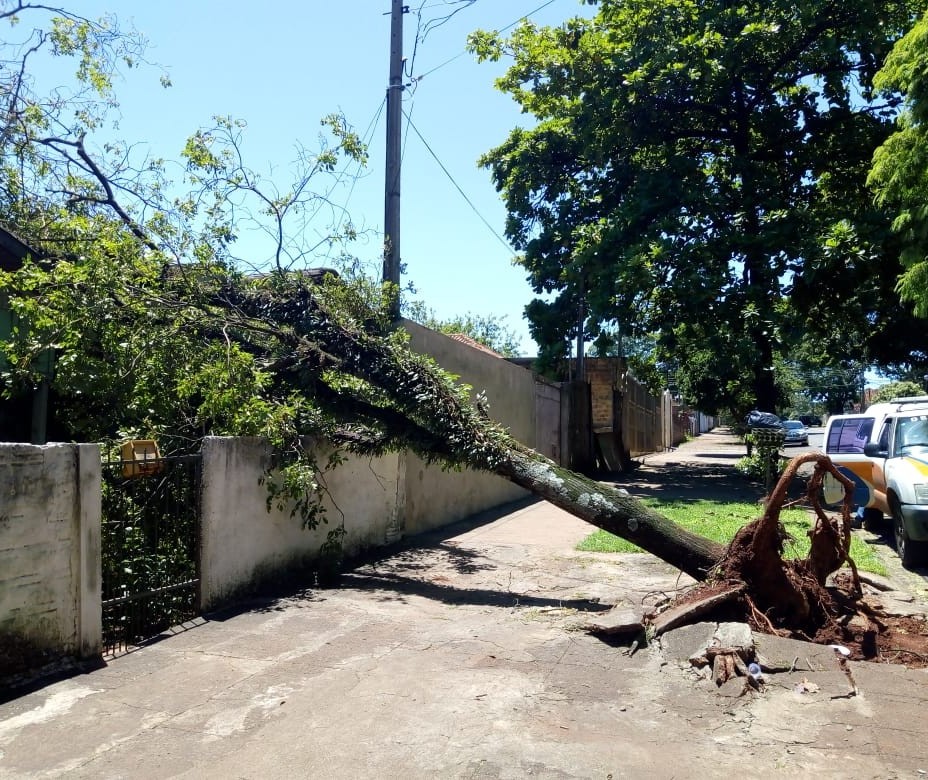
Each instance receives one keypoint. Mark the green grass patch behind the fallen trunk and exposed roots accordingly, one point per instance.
(720, 520)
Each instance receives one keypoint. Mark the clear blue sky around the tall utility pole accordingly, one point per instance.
(283, 65)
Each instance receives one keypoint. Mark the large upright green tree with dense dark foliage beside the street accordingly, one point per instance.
(697, 171)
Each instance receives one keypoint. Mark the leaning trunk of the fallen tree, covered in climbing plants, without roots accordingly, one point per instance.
(427, 413)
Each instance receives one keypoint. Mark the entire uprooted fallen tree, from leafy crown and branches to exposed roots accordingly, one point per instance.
(159, 330)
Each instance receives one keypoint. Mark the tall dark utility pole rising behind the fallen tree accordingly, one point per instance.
(391, 220)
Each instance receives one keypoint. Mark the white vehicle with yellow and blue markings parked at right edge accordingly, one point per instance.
(884, 451)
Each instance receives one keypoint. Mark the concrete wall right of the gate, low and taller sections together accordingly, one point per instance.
(381, 499)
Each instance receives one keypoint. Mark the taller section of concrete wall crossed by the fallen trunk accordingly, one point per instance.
(434, 497)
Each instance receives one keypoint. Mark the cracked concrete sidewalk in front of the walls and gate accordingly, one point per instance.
(462, 655)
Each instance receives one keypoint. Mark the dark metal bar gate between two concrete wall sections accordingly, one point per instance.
(150, 547)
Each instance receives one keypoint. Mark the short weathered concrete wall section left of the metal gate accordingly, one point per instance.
(50, 546)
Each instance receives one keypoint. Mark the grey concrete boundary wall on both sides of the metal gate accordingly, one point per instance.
(50, 562)
